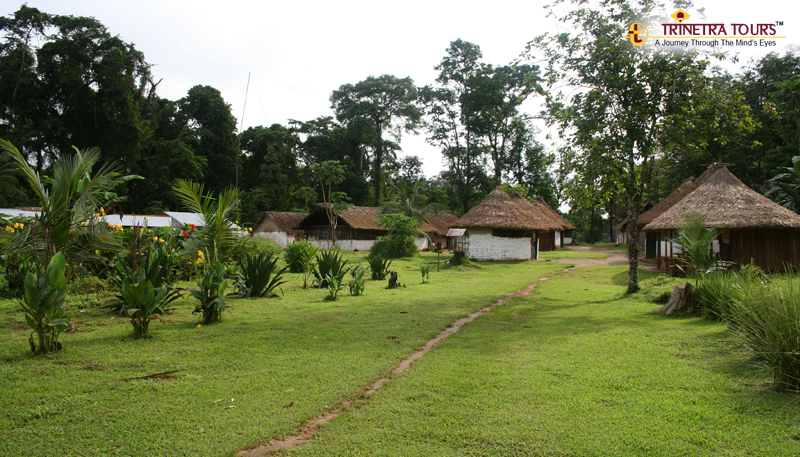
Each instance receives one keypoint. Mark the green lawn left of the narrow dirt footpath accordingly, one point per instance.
(237, 377)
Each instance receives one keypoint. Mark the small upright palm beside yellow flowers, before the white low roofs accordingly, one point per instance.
(216, 236)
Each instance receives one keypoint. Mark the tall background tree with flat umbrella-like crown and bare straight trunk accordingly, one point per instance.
(388, 103)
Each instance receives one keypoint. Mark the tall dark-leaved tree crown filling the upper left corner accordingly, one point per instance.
(66, 81)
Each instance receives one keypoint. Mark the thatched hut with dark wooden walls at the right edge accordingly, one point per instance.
(753, 227)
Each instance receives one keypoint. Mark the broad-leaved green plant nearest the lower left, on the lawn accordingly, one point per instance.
(43, 303)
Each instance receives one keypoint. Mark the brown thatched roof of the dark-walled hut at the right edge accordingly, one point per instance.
(722, 200)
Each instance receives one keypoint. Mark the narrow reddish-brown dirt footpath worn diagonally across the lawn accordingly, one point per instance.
(307, 431)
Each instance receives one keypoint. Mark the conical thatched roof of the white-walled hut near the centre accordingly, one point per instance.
(498, 210)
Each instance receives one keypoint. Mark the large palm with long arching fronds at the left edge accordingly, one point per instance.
(70, 201)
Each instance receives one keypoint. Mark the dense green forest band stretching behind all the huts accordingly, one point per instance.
(67, 82)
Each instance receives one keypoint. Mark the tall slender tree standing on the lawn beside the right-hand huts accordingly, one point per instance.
(614, 98)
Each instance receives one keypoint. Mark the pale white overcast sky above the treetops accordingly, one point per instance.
(298, 52)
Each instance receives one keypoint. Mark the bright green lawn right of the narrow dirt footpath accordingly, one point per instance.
(575, 369)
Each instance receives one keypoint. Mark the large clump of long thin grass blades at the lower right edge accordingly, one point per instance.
(768, 320)
